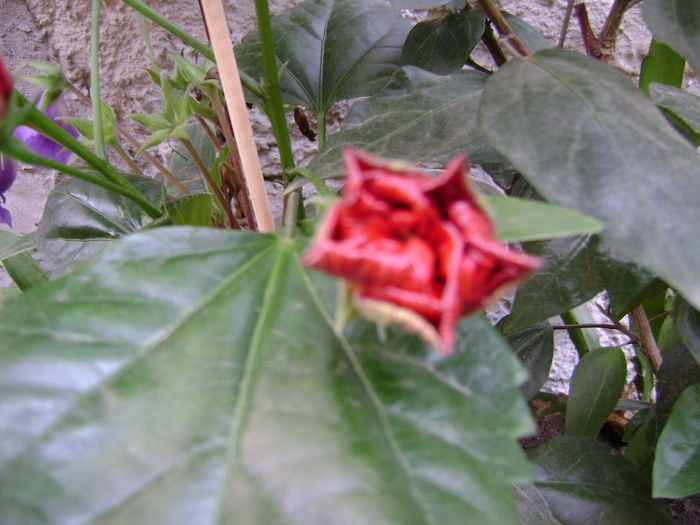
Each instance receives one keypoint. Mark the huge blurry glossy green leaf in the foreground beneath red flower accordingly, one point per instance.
(194, 376)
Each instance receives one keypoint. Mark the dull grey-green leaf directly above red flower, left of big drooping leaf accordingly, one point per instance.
(418, 117)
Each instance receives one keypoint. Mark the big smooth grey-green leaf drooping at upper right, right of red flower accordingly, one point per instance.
(588, 139)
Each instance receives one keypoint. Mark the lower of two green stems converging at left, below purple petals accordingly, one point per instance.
(14, 147)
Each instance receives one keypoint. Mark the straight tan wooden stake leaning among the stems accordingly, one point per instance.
(215, 19)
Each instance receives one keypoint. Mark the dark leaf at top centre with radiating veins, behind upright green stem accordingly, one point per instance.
(330, 50)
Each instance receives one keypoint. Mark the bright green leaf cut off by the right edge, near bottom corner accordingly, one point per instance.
(677, 463)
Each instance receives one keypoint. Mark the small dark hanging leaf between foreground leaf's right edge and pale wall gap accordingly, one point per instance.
(534, 346)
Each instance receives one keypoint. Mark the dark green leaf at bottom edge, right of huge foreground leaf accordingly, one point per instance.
(584, 481)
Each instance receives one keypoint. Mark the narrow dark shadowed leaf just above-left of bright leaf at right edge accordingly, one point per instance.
(678, 371)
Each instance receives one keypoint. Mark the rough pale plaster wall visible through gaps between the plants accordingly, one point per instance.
(58, 31)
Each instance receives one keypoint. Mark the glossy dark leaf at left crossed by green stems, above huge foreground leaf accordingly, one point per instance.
(80, 218)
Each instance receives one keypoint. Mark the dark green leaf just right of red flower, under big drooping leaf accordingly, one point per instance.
(567, 279)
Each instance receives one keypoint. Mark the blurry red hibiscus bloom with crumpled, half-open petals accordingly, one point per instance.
(415, 249)
